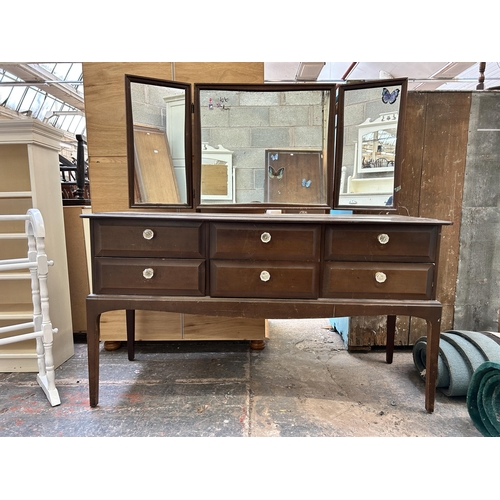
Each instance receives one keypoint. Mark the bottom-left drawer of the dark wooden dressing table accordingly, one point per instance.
(149, 276)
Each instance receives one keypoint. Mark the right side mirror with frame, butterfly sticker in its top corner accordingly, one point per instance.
(369, 139)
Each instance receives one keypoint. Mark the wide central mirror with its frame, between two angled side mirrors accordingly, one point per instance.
(264, 145)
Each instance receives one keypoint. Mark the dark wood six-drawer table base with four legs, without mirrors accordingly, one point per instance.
(265, 266)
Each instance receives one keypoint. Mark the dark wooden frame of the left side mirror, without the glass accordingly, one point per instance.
(129, 79)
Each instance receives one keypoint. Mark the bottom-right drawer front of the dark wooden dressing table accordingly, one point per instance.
(378, 280)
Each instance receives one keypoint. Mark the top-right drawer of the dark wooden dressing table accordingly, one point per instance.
(381, 243)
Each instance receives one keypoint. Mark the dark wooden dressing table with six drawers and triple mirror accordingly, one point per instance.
(245, 253)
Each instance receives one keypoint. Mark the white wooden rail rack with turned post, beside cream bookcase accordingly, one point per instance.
(41, 326)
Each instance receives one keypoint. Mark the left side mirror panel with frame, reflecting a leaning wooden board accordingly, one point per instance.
(158, 142)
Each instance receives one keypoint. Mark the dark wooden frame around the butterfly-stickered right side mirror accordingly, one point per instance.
(342, 89)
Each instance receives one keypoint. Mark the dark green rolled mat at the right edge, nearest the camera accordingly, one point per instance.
(483, 399)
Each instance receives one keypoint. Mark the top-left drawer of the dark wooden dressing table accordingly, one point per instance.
(118, 238)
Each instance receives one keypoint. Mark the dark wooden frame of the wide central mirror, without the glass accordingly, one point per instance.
(329, 145)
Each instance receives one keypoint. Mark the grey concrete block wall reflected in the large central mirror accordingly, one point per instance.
(249, 123)
